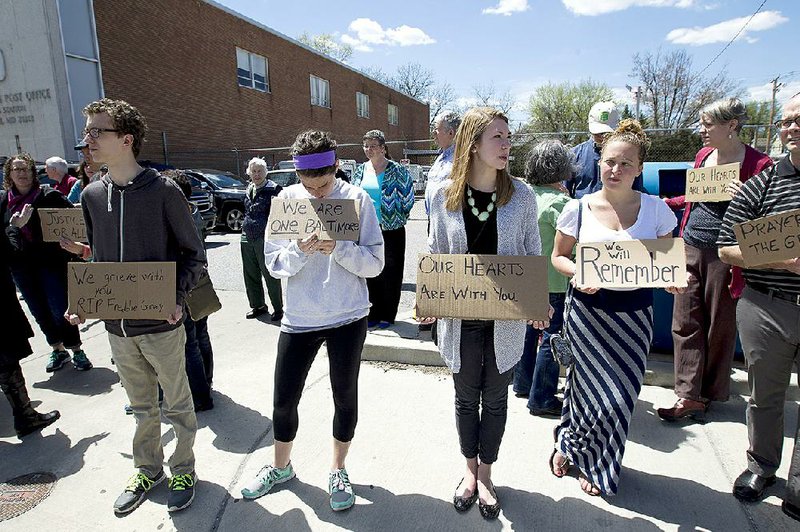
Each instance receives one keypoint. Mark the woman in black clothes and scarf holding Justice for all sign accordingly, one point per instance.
(39, 268)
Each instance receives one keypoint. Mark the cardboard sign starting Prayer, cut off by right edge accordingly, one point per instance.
(769, 239)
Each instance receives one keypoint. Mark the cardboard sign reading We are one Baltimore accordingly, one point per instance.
(298, 218)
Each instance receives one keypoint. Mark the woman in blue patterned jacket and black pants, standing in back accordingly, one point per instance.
(391, 189)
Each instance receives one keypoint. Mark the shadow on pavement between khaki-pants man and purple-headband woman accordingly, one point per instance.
(236, 427)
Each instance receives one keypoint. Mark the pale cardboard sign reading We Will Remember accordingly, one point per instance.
(654, 263)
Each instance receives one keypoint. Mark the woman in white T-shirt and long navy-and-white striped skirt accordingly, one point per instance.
(610, 329)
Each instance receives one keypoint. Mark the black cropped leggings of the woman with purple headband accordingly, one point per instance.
(296, 353)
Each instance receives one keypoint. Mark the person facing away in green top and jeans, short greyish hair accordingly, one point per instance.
(549, 163)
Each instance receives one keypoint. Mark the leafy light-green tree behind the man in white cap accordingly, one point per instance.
(564, 107)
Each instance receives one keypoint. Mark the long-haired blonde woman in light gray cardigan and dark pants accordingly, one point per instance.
(481, 209)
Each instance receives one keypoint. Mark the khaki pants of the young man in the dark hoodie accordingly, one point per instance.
(143, 362)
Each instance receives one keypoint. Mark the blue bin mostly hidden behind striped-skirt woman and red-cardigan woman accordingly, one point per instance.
(668, 180)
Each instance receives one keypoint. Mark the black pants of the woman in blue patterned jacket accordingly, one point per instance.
(384, 290)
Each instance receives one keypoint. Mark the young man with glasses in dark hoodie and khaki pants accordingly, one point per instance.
(134, 214)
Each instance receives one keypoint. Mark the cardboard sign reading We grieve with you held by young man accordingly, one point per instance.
(114, 290)
